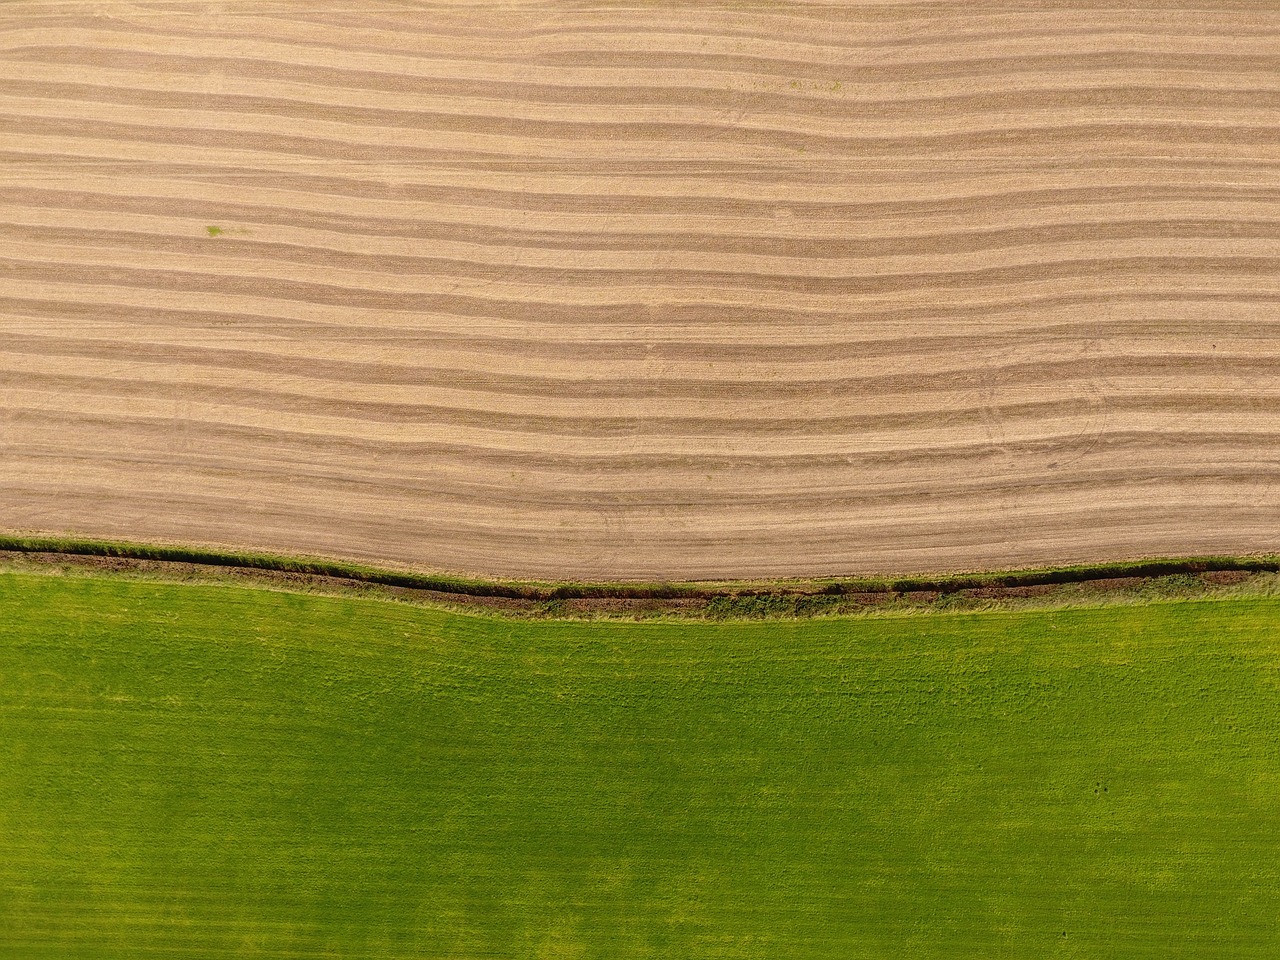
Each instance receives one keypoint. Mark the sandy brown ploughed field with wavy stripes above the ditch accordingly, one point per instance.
(588, 290)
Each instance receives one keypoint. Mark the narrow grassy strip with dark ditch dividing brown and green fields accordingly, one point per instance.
(1131, 582)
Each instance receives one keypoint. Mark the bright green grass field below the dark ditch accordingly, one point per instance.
(212, 771)
